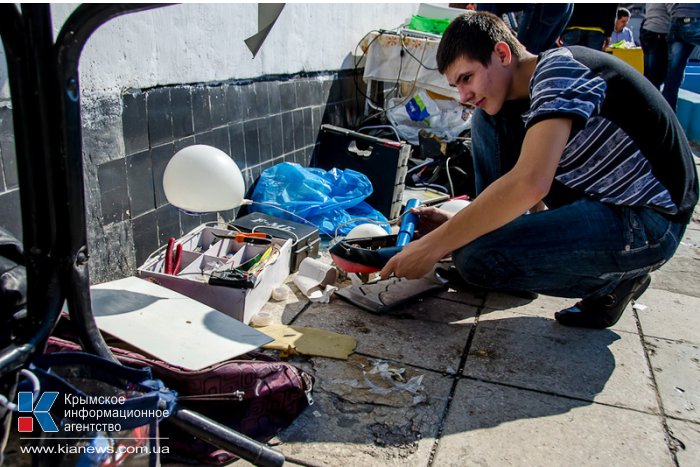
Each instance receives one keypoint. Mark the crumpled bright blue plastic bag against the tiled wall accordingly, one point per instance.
(327, 199)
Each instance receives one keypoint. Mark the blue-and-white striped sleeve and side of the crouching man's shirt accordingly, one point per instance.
(600, 159)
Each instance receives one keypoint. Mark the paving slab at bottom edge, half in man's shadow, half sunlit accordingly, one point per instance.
(495, 425)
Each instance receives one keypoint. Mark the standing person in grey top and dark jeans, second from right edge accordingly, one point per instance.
(652, 36)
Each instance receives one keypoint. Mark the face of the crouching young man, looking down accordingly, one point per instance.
(480, 86)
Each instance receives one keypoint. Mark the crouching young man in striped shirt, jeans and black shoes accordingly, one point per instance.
(585, 179)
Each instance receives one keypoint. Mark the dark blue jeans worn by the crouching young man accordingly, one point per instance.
(578, 248)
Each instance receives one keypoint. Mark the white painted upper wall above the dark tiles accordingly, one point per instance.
(204, 42)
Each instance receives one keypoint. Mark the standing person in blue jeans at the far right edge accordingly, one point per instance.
(683, 36)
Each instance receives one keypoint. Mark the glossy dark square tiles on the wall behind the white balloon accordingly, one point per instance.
(259, 123)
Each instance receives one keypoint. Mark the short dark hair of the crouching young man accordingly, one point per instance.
(474, 35)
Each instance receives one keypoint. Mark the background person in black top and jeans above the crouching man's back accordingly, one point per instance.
(590, 25)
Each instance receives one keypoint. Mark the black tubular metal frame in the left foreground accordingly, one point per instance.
(44, 85)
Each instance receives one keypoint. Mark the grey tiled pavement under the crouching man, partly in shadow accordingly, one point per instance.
(501, 383)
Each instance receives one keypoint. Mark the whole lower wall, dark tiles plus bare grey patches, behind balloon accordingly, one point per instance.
(258, 122)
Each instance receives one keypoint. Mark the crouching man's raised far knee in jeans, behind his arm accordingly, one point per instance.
(496, 142)
